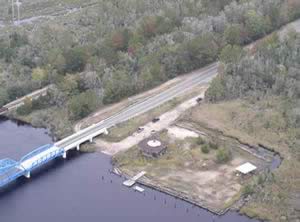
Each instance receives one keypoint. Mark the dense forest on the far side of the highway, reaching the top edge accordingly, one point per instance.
(115, 49)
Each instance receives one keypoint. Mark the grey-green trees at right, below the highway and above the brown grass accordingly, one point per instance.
(250, 76)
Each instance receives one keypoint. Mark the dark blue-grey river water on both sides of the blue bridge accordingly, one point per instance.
(82, 188)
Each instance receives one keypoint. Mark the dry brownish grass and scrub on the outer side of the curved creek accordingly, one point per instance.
(256, 123)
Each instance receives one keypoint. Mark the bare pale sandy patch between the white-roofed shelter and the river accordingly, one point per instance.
(212, 187)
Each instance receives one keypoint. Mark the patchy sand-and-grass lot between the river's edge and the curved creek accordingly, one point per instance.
(188, 172)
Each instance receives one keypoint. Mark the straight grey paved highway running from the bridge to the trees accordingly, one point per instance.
(203, 76)
